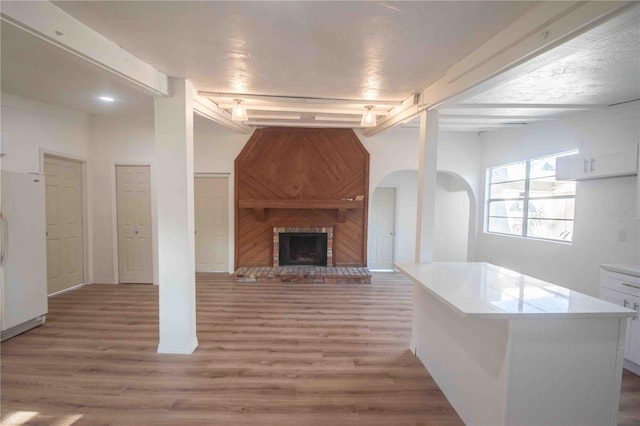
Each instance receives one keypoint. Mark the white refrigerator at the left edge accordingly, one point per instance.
(23, 256)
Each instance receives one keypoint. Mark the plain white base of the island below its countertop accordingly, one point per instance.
(521, 371)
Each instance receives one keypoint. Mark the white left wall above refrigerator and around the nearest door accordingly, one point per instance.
(33, 128)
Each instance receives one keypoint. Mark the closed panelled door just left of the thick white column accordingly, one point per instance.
(135, 259)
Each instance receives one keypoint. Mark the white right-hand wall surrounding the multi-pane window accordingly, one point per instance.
(605, 208)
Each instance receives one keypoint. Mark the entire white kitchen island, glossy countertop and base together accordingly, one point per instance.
(509, 349)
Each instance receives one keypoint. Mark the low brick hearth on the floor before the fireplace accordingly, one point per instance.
(303, 274)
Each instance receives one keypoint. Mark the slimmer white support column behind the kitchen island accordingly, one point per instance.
(427, 170)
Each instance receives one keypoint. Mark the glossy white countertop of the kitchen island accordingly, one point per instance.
(489, 291)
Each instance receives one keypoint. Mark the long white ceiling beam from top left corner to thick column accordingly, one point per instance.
(49, 23)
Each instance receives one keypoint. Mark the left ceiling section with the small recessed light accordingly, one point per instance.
(36, 69)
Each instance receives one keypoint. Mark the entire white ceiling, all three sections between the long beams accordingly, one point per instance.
(371, 52)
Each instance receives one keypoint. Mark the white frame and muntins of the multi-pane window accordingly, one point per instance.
(525, 199)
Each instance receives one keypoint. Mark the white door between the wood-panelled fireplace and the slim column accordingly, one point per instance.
(381, 228)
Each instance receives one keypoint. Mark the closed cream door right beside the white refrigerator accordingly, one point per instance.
(65, 240)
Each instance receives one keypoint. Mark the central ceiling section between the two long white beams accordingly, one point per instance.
(350, 50)
